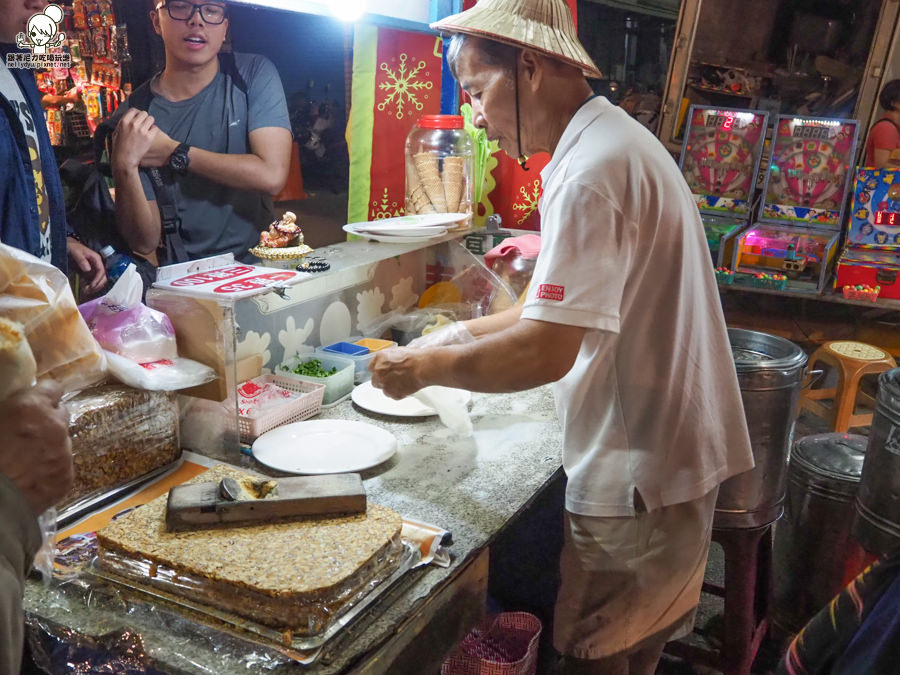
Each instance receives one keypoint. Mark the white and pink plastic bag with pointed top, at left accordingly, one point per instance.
(122, 324)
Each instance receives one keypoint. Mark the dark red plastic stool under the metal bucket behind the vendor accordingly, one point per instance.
(747, 592)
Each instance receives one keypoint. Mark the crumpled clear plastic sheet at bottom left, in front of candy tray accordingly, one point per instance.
(59, 650)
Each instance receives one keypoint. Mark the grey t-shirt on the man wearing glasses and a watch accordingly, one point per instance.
(216, 218)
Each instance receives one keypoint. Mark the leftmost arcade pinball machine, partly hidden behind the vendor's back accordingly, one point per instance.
(720, 162)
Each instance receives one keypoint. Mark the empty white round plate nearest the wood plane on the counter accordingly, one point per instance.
(324, 446)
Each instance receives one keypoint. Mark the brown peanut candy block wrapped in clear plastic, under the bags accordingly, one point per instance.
(119, 434)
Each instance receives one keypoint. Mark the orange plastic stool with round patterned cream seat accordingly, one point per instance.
(852, 360)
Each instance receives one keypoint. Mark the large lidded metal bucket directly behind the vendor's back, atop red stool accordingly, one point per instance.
(770, 370)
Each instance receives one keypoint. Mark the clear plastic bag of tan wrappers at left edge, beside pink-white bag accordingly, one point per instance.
(37, 296)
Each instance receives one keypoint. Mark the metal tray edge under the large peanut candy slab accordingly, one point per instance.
(407, 559)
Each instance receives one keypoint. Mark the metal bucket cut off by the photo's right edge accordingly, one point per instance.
(877, 524)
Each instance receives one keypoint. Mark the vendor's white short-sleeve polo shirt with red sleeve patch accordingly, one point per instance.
(652, 401)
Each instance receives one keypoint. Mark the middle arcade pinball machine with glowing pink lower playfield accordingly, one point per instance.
(804, 198)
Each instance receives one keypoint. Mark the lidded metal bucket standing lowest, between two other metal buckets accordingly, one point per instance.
(815, 557)
